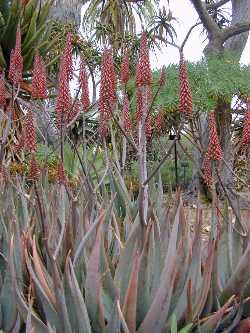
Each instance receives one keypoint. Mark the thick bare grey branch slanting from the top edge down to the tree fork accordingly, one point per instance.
(205, 18)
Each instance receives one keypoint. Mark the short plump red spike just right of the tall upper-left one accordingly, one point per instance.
(39, 81)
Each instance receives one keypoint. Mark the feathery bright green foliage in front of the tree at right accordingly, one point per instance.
(209, 81)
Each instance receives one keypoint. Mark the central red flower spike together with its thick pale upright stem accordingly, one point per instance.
(143, 83)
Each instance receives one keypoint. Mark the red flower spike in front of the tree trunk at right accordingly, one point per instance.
(214, 149)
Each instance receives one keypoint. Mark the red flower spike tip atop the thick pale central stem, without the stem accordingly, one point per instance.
(143, 71)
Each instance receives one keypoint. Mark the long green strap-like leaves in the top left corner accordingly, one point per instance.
(34, 28)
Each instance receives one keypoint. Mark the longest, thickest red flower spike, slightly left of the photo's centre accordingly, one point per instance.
(107, 91)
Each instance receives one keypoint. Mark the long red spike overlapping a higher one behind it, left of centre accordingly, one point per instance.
(63, 102)
